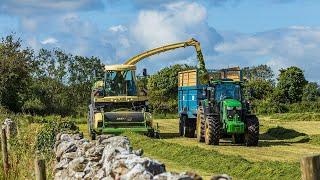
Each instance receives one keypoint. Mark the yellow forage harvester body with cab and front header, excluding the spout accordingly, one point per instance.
(116, 104)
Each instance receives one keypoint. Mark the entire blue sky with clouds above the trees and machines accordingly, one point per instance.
(279, 33)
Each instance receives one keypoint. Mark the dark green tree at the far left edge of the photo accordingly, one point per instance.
(15, 67)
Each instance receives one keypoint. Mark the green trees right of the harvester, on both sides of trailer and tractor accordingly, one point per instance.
(289, 92)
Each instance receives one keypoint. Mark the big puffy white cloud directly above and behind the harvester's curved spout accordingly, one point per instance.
(173, 22)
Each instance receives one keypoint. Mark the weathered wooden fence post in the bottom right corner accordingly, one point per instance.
(310, 167)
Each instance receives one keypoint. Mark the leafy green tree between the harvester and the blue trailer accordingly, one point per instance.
(163, 89)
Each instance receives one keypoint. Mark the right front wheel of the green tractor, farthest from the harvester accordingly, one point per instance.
(252, 131)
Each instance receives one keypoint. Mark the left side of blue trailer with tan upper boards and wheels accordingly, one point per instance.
(190, 93)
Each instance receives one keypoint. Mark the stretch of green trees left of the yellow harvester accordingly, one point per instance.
(46, 82)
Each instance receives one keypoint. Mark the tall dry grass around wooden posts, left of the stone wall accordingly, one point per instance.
(22, 150)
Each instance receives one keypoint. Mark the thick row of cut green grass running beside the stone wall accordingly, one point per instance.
(212, 162)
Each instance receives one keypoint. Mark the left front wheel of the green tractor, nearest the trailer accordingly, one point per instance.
(212, 130)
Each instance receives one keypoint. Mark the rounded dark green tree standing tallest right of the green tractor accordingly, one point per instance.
(291, 81)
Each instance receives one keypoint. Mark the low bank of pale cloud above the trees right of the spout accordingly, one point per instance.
(280, 48)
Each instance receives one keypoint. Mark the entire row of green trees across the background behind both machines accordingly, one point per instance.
(55, 82)
